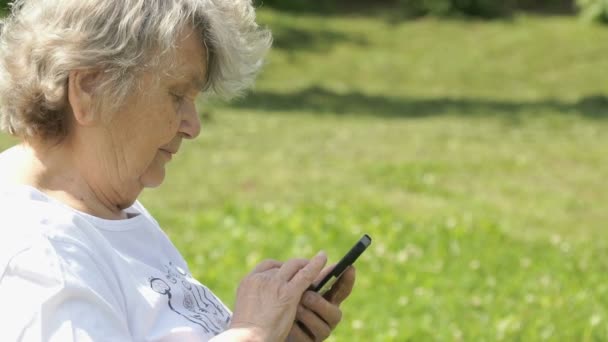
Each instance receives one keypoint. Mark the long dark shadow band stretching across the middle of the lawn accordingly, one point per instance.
(323, 101)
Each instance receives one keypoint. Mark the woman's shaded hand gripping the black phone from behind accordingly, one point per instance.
(317, 316)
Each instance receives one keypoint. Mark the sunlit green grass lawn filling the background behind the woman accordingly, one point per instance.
(474, 153)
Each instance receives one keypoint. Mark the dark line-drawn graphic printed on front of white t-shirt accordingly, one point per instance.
(190, 300)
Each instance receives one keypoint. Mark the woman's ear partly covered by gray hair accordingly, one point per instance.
(81, 88)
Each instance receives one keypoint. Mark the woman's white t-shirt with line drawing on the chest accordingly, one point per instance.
(68, 276)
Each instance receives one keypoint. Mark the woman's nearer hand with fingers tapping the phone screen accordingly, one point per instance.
(267, 299)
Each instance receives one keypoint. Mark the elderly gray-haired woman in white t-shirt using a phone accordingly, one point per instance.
(101, 94)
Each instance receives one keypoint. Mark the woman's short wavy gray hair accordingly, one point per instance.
(42, 41)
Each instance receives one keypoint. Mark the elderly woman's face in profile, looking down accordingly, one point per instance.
(148, 130)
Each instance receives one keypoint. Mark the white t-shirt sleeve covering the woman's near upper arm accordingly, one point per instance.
(57, 291)
